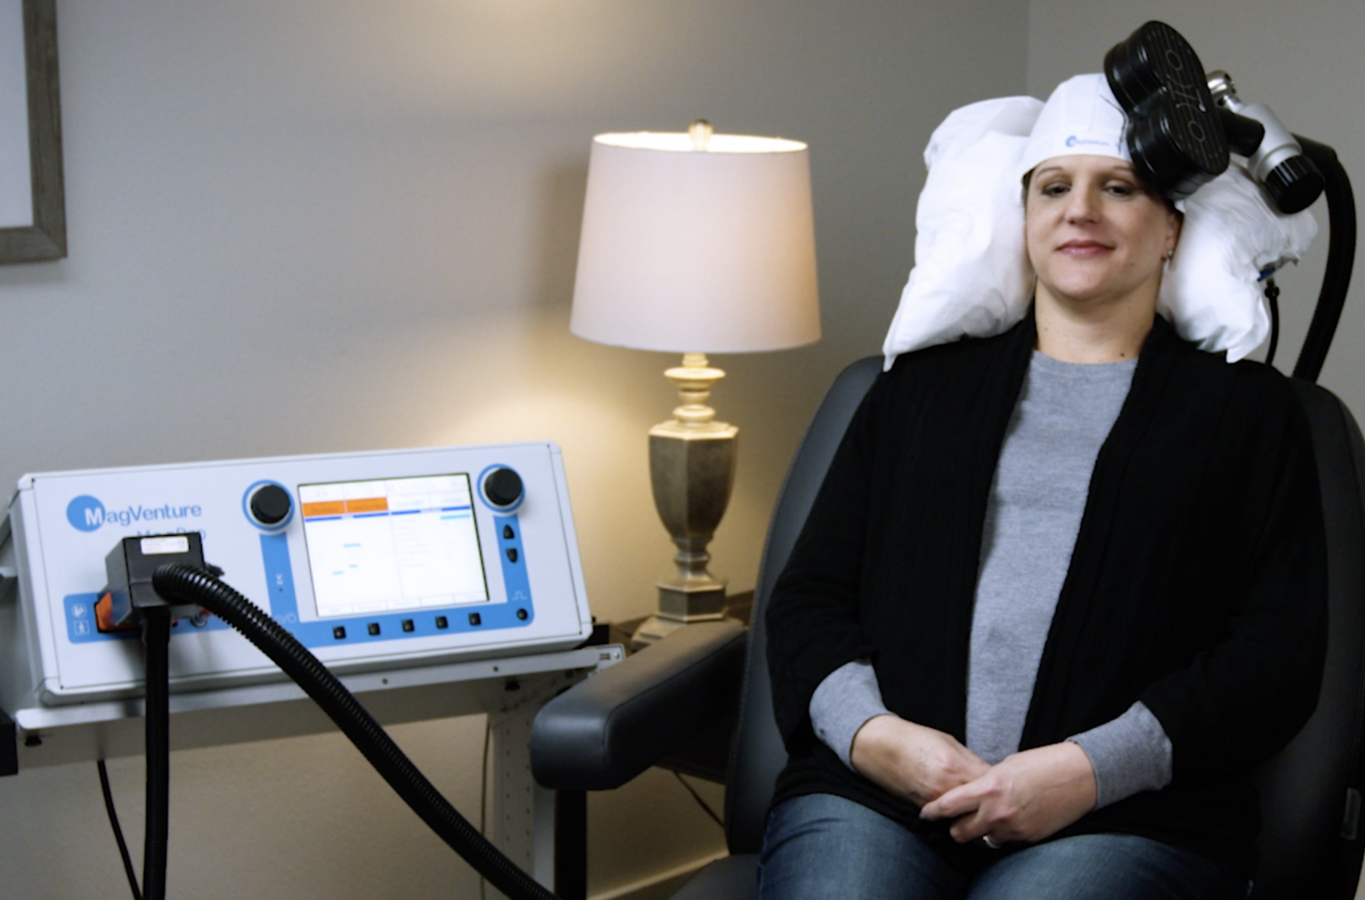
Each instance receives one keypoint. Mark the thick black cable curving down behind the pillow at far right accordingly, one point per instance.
(1341, 260)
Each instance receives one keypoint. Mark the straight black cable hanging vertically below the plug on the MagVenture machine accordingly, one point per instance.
(156, 637)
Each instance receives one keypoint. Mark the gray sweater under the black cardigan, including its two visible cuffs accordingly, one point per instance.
(1064, 414)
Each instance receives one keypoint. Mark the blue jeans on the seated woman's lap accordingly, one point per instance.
(820, 847)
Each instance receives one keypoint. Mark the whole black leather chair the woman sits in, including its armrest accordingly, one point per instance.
(608, 730)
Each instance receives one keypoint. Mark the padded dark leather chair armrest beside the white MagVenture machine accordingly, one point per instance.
(605, 731)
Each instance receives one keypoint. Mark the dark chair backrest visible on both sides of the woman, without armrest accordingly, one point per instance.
(1312, 842)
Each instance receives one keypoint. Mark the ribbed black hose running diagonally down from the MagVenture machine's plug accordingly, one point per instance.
(185, 584)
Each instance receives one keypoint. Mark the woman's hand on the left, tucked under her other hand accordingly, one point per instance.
(913, 761)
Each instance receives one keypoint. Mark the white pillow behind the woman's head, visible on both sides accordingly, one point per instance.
(973, 275)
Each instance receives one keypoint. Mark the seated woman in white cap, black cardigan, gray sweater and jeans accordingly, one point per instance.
(1061, 592)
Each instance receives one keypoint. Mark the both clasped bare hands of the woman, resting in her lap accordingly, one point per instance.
(1027, 797)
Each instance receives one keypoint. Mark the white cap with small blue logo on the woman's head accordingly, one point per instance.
(1080, 118)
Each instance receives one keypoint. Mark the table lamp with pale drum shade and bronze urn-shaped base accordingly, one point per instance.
(695, 244)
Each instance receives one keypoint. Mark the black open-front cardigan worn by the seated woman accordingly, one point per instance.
(1198, 584)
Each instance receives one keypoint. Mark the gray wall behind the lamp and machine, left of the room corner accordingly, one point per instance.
(311, 226)
